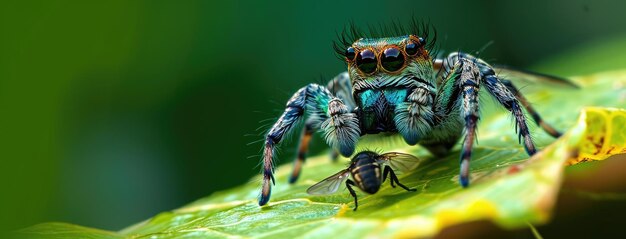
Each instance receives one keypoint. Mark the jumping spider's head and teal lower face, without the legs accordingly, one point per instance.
(392, 79)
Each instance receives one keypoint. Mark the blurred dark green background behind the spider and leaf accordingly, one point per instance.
(113, 111)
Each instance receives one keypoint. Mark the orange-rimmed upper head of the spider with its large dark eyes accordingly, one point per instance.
(388, 62)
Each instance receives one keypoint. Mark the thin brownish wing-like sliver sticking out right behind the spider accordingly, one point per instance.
(528, 76)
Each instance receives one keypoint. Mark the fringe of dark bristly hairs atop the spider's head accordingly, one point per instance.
(352, 33)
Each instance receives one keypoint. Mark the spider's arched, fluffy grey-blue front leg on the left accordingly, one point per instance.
(340, 126)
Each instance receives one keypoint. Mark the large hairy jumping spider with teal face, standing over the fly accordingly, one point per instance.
(394, 86)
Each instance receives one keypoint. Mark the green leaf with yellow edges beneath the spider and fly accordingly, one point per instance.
(507, 187)
